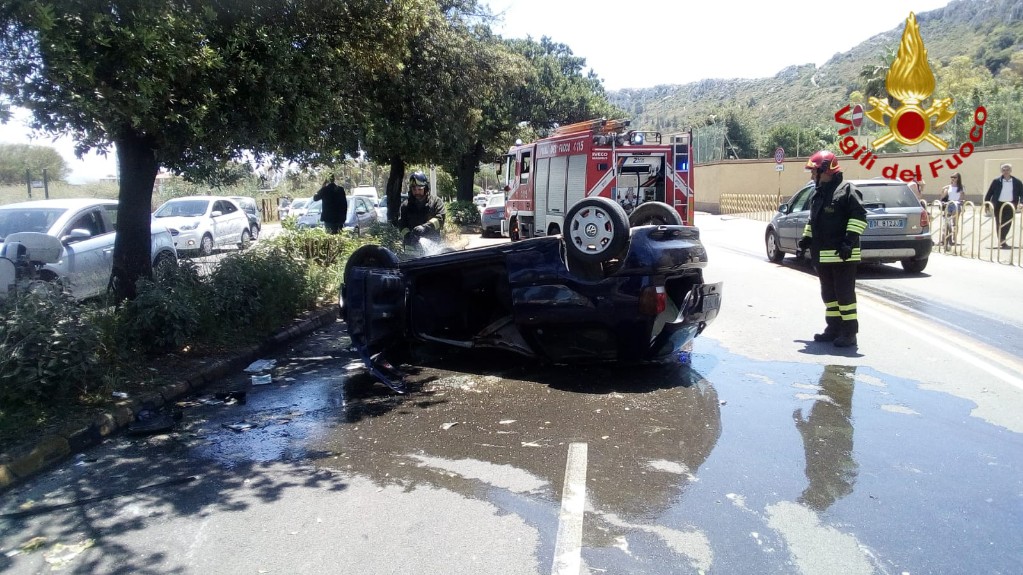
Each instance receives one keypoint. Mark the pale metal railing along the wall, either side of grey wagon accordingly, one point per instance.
(972, 233)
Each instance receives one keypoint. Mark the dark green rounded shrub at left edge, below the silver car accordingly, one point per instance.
(50, 349)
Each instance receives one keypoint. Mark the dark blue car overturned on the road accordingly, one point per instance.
(601, 292)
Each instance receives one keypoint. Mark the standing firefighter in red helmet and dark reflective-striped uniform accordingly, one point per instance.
(832, 235)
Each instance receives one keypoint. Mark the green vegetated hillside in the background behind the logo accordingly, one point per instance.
(975, 49)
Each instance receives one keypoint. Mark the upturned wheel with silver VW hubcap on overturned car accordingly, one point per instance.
(597, 231)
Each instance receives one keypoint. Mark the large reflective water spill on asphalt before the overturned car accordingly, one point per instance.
(725, 464)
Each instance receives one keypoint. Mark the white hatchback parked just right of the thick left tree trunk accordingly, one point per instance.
(201, 224)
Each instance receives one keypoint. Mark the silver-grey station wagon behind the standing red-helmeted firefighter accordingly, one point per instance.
(898, 227)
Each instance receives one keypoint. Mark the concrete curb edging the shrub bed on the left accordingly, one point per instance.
(58, 448)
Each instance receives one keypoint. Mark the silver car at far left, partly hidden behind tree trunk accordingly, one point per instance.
(68, 241)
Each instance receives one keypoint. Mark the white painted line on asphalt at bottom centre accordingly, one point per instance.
(568, 547)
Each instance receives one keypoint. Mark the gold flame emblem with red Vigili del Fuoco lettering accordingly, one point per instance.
(910, 81)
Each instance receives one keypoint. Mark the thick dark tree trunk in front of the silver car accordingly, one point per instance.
(138, 169)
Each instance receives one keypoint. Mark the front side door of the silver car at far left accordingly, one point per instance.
(88, 260)
